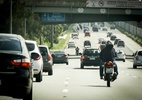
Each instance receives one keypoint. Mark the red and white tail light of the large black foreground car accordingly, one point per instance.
(21, 62)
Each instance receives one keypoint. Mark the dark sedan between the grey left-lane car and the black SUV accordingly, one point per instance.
(60, 56)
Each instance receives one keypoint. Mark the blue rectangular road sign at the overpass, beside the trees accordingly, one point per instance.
(53, 17)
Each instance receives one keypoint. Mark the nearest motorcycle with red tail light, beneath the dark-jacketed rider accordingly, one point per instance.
(108, 72)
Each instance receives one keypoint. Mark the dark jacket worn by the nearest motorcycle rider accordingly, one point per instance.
(106, 54)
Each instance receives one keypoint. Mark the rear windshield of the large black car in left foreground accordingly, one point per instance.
(10, 43)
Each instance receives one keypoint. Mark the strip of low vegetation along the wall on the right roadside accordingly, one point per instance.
(135, 38)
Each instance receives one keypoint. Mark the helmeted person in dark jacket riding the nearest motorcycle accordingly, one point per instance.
(108, 54)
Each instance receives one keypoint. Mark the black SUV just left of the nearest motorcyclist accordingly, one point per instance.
(90, 57)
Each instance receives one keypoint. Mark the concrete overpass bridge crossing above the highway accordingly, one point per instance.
(75, 11)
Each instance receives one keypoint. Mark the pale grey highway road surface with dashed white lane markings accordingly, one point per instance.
(69, 82)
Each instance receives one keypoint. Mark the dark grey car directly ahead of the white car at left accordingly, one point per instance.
(47, 59)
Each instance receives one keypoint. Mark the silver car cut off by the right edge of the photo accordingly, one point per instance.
(137, 60)
